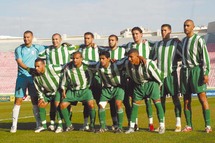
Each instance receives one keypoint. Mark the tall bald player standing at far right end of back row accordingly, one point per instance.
(194, 74)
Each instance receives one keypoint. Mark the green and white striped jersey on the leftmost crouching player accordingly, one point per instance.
(48, 82)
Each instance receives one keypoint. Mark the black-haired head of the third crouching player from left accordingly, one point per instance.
(104, 58)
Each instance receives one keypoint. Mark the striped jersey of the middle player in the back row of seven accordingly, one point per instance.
(117, 53)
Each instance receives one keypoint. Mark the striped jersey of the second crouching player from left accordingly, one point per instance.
(76, 78)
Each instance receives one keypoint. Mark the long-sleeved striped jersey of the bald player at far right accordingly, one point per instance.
(195, 53)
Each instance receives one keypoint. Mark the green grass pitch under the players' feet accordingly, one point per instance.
(25, 132)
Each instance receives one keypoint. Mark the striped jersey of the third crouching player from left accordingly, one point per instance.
(109, 76)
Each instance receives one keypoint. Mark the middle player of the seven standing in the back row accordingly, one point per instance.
(117, 53)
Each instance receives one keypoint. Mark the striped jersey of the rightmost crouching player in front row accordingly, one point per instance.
(144, 72)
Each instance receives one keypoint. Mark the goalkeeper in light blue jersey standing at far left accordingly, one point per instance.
(25, 56)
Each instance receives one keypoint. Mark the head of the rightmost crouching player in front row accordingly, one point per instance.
(133, 56)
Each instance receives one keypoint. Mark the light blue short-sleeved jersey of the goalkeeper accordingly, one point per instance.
(28, 55)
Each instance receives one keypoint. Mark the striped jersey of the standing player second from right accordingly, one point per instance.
(167, 54)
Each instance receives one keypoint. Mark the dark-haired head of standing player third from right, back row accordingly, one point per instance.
(137, 34)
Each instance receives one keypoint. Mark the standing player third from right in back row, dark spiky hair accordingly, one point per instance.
(145, 50)
